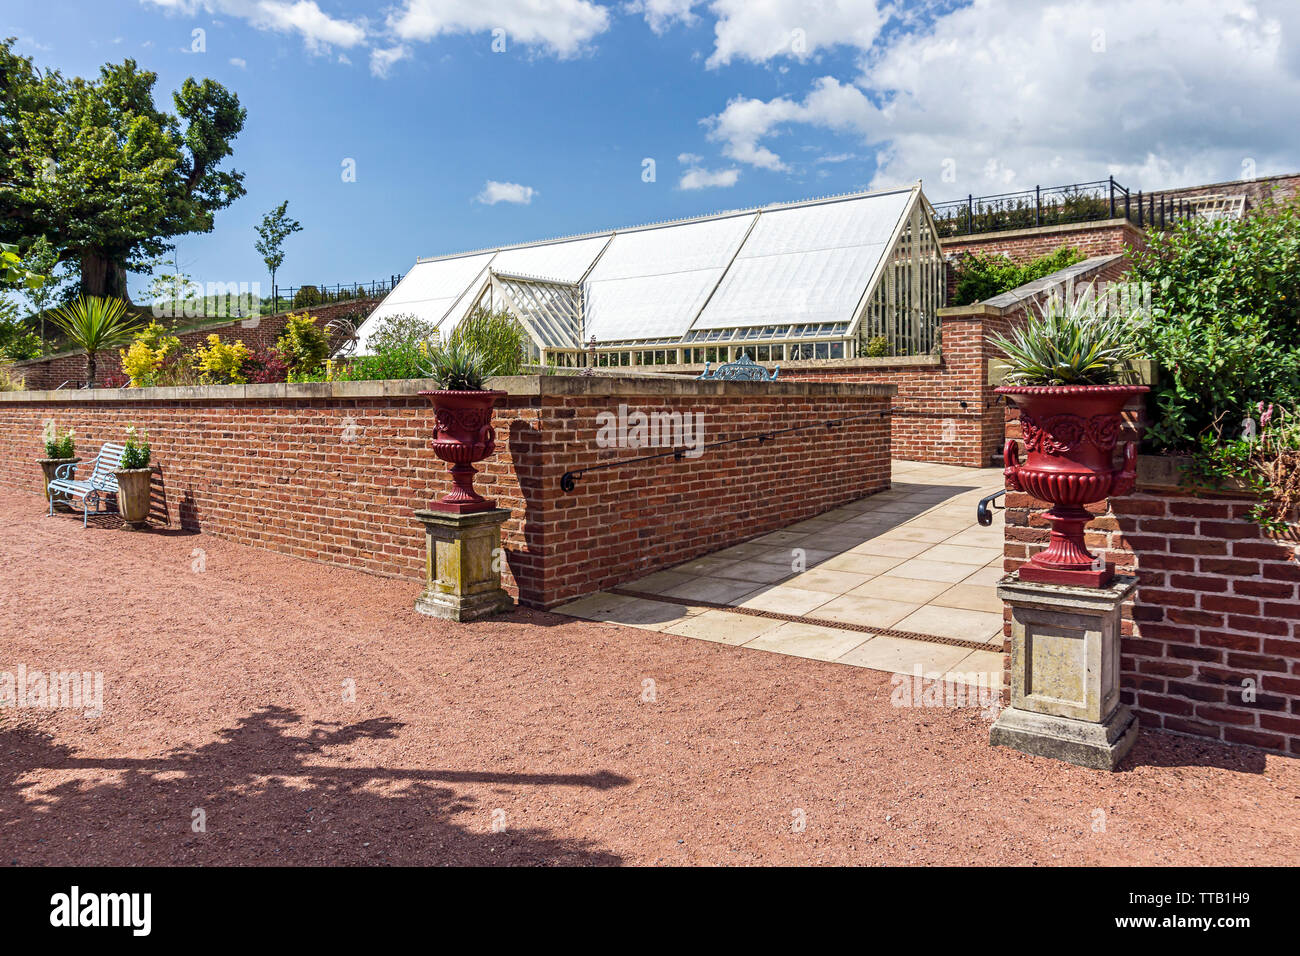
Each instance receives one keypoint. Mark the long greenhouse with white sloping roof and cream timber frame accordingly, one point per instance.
(826, 279)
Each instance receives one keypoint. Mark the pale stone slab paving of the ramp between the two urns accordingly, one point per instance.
(909, 561)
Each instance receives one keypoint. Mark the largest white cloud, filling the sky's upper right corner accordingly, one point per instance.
(1016, 93)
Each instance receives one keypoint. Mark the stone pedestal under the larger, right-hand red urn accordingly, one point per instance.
(1065, 674)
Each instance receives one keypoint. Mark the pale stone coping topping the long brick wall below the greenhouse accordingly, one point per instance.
(522, 386)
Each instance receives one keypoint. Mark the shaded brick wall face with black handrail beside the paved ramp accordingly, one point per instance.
(621, 524)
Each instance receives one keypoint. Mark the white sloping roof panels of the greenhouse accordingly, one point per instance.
(803, 263)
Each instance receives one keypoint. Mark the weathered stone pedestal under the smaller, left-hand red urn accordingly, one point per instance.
(462, 570)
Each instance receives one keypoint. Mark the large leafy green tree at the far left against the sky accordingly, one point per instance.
(98, 170)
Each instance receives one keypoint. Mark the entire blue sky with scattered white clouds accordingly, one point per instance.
(738, 102)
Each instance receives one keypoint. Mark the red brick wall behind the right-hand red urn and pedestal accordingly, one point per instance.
(1217, 605)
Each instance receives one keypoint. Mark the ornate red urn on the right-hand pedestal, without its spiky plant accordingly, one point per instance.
(1071, 435)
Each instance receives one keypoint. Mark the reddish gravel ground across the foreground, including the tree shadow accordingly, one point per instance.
(224, 693)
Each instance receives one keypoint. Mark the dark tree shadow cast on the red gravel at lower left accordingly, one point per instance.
(265, 803)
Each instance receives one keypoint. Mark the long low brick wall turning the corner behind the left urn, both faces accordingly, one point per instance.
(284, 474)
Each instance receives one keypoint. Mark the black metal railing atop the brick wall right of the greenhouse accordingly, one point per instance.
(1045, 206)
